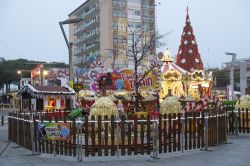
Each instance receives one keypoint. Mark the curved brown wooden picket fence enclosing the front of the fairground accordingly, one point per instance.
(118, 136)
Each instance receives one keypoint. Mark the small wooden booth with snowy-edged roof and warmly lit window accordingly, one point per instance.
(46, 98)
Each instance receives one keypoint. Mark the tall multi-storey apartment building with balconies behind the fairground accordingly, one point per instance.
(106, 29)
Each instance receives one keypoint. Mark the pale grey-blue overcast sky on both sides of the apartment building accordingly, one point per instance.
(29, 28)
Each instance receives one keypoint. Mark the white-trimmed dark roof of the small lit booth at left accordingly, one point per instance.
(37, 91)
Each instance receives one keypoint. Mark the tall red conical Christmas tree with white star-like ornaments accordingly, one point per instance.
(188, 56)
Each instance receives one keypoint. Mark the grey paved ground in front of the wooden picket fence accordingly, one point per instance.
(235, 154)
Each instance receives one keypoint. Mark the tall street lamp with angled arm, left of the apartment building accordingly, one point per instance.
(69, 44)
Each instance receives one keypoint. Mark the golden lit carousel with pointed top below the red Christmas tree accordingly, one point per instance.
(176, 81)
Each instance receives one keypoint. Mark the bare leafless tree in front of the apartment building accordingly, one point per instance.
(143, 53)
